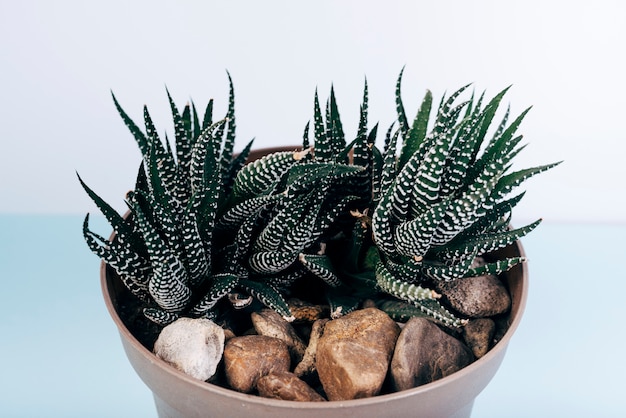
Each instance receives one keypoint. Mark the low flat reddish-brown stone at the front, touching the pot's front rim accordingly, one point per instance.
(287, 386)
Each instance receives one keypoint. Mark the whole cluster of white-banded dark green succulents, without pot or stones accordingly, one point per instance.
(208, 230)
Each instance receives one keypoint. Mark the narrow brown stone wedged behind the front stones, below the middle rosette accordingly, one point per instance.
(269, 323)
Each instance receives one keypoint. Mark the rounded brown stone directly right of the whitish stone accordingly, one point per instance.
(250, 357)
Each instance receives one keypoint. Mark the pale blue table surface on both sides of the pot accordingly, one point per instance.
(62, 357)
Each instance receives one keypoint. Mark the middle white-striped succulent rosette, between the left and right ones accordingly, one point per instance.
(286, 219)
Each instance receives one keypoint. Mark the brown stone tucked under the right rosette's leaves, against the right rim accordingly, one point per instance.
(476, 297)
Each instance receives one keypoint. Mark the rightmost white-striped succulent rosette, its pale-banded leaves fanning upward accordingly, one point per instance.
(444, 200)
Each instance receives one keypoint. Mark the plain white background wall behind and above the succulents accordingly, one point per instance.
(59, 60)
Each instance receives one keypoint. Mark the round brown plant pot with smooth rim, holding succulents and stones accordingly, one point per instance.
(178, 395)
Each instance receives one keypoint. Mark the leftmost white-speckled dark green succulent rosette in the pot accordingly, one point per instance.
(164, 251)
